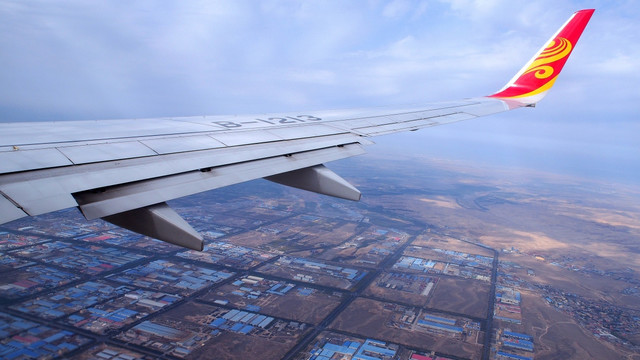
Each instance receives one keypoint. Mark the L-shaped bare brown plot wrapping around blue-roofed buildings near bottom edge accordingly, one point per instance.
(370, 319)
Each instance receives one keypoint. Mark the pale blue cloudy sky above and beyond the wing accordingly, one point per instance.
(79, 60)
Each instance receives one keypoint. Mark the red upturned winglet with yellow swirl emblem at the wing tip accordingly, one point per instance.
(533, 81)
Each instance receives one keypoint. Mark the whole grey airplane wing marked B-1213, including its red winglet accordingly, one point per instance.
(124, 171)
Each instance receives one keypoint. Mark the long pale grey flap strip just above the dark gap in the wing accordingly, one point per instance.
(42, 191)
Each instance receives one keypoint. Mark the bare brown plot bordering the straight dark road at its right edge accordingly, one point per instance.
(462, 296)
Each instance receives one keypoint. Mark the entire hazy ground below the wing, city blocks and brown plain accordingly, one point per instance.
(448, 263)
